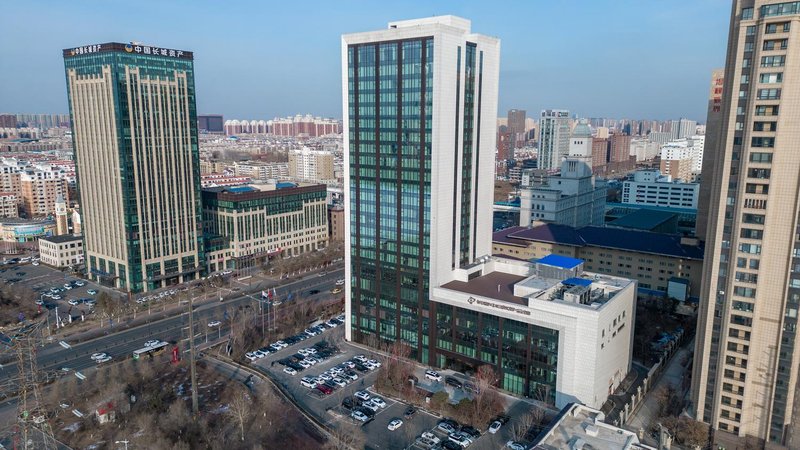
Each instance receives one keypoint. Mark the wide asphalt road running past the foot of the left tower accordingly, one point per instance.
(121, 344)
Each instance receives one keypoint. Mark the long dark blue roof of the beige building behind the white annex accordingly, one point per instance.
(617, 238)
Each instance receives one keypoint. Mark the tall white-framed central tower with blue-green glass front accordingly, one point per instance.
(420, 120)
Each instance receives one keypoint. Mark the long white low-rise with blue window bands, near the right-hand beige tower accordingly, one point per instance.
(650, 187)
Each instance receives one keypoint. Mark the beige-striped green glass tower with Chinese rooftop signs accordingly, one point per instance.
(135, 138)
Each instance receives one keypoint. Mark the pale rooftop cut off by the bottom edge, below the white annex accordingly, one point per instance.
(579, 427)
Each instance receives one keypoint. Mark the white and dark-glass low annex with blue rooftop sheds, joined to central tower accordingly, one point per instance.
(553, 331)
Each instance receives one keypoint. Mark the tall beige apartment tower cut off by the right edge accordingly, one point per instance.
(747, 354)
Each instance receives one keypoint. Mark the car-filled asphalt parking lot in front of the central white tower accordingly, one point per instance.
(329, 409)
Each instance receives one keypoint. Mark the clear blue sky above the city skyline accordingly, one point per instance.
(259, 59)
